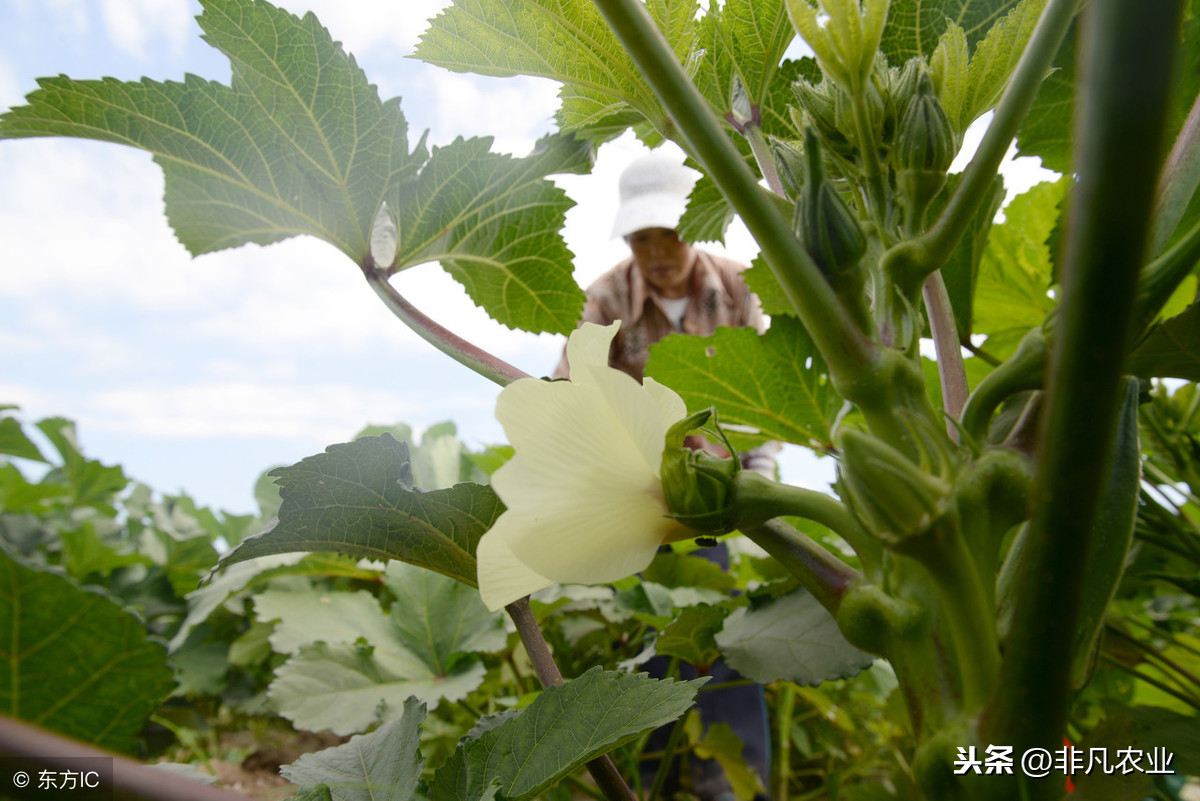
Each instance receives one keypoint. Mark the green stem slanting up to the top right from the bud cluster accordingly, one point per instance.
(914, 260)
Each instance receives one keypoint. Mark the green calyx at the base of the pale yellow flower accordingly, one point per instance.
(698, 487)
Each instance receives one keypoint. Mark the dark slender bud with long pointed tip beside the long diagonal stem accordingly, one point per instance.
(825, 224)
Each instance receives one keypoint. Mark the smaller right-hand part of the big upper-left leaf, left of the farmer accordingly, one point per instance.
(493, 221)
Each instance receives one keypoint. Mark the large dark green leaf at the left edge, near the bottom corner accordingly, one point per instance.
(74, 661)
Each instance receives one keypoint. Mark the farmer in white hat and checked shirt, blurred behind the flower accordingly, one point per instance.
(667, 286)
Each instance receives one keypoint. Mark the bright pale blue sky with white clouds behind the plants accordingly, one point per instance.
(199, 375)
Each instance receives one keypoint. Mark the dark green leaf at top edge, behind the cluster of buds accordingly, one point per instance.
(915, 26)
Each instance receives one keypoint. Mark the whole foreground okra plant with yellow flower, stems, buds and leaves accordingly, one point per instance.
(983, 510)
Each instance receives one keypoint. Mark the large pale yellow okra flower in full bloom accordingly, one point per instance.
(584, 490)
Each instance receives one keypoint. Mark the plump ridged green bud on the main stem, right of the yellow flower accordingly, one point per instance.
(893, 497)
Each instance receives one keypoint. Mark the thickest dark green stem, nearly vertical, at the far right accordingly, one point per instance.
(1126, 64)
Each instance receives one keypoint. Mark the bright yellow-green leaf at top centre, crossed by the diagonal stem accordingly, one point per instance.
(563, 40)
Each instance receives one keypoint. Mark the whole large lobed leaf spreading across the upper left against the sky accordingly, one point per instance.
(301, 143)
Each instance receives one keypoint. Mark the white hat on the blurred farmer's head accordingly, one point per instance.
(655, 192)
